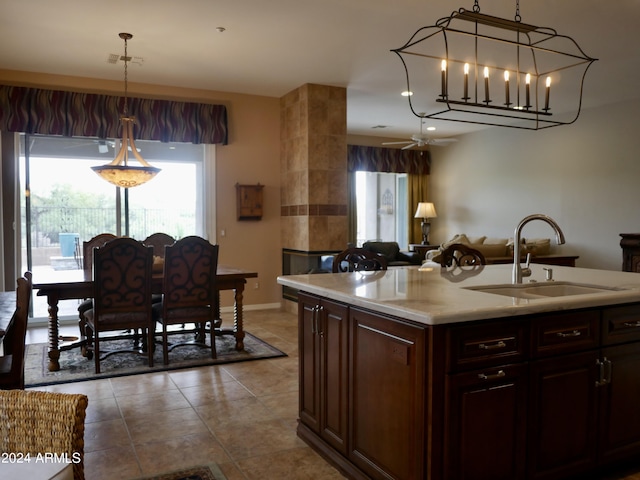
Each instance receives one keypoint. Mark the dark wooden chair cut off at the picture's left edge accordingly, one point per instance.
(13, 343)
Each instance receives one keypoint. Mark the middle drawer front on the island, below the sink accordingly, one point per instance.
(565, 333)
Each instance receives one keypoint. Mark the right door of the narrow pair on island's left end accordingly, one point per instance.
(334, 335)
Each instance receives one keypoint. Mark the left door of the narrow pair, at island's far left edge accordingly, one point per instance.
(309, 362)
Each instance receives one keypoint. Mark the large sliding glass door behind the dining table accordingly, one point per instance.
(66, 203)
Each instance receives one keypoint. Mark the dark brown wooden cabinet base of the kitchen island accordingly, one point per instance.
(548, 396)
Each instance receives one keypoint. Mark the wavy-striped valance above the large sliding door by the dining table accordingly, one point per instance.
(73, 114)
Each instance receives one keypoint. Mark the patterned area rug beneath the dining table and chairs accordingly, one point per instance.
(76, 368)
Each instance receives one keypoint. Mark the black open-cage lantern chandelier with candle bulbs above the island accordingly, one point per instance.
(476, 68)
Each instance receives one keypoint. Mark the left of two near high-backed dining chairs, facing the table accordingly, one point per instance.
(121, 296)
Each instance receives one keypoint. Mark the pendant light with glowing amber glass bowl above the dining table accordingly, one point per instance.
(120, 172)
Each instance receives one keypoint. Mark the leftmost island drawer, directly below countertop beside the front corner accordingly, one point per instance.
(479, 344)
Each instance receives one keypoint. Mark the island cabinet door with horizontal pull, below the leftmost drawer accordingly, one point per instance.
(485, 430)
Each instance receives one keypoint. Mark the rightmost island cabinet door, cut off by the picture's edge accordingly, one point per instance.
(620, 397)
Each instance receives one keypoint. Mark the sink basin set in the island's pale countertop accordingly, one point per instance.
(543, 290)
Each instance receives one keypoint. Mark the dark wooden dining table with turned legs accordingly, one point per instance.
(228, 278)
